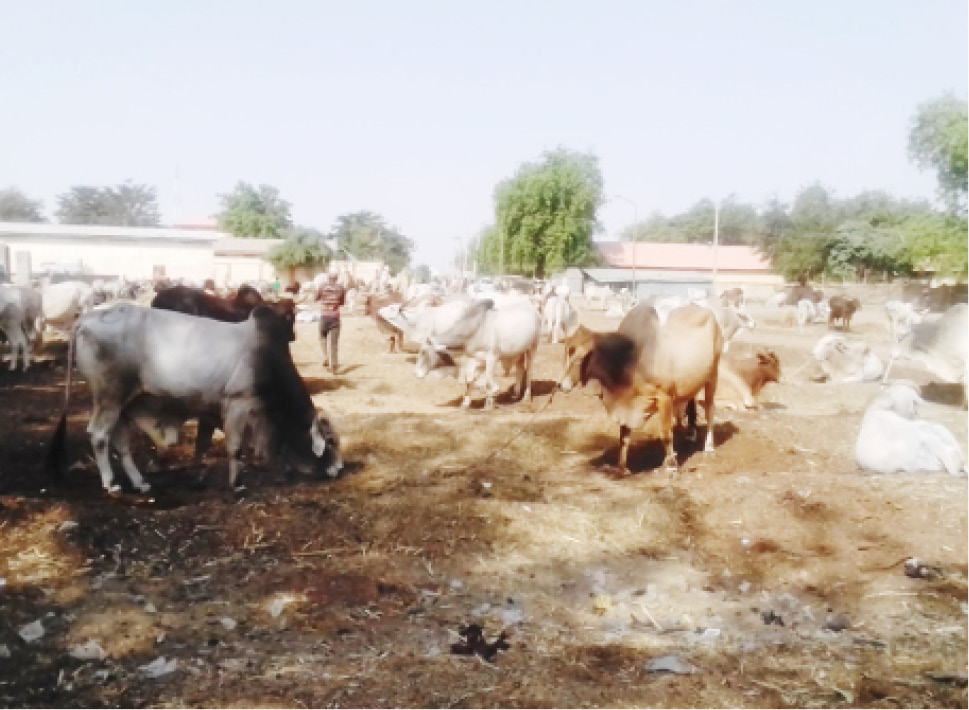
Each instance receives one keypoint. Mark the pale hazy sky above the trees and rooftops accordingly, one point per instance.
(416, 110)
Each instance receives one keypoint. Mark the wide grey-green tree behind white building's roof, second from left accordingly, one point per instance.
(125, 205)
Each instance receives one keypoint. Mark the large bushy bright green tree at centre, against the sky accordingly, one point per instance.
(546, 213)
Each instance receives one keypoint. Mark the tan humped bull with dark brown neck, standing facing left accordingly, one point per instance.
(649, 367)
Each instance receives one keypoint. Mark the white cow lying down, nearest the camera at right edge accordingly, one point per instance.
(892, 439)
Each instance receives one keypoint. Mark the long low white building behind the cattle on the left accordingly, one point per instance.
(134, 252)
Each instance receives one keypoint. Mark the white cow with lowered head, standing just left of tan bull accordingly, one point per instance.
(485, 335)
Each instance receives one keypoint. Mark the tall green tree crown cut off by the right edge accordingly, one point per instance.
(938, 141)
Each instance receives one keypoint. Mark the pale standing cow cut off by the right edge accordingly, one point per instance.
(940, 346)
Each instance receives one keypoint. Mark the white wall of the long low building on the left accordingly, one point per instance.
(132, 258)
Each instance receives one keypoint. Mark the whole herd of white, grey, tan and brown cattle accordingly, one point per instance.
(224, 361)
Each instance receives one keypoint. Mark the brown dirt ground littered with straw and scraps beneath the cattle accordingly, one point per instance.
(772, 569)
